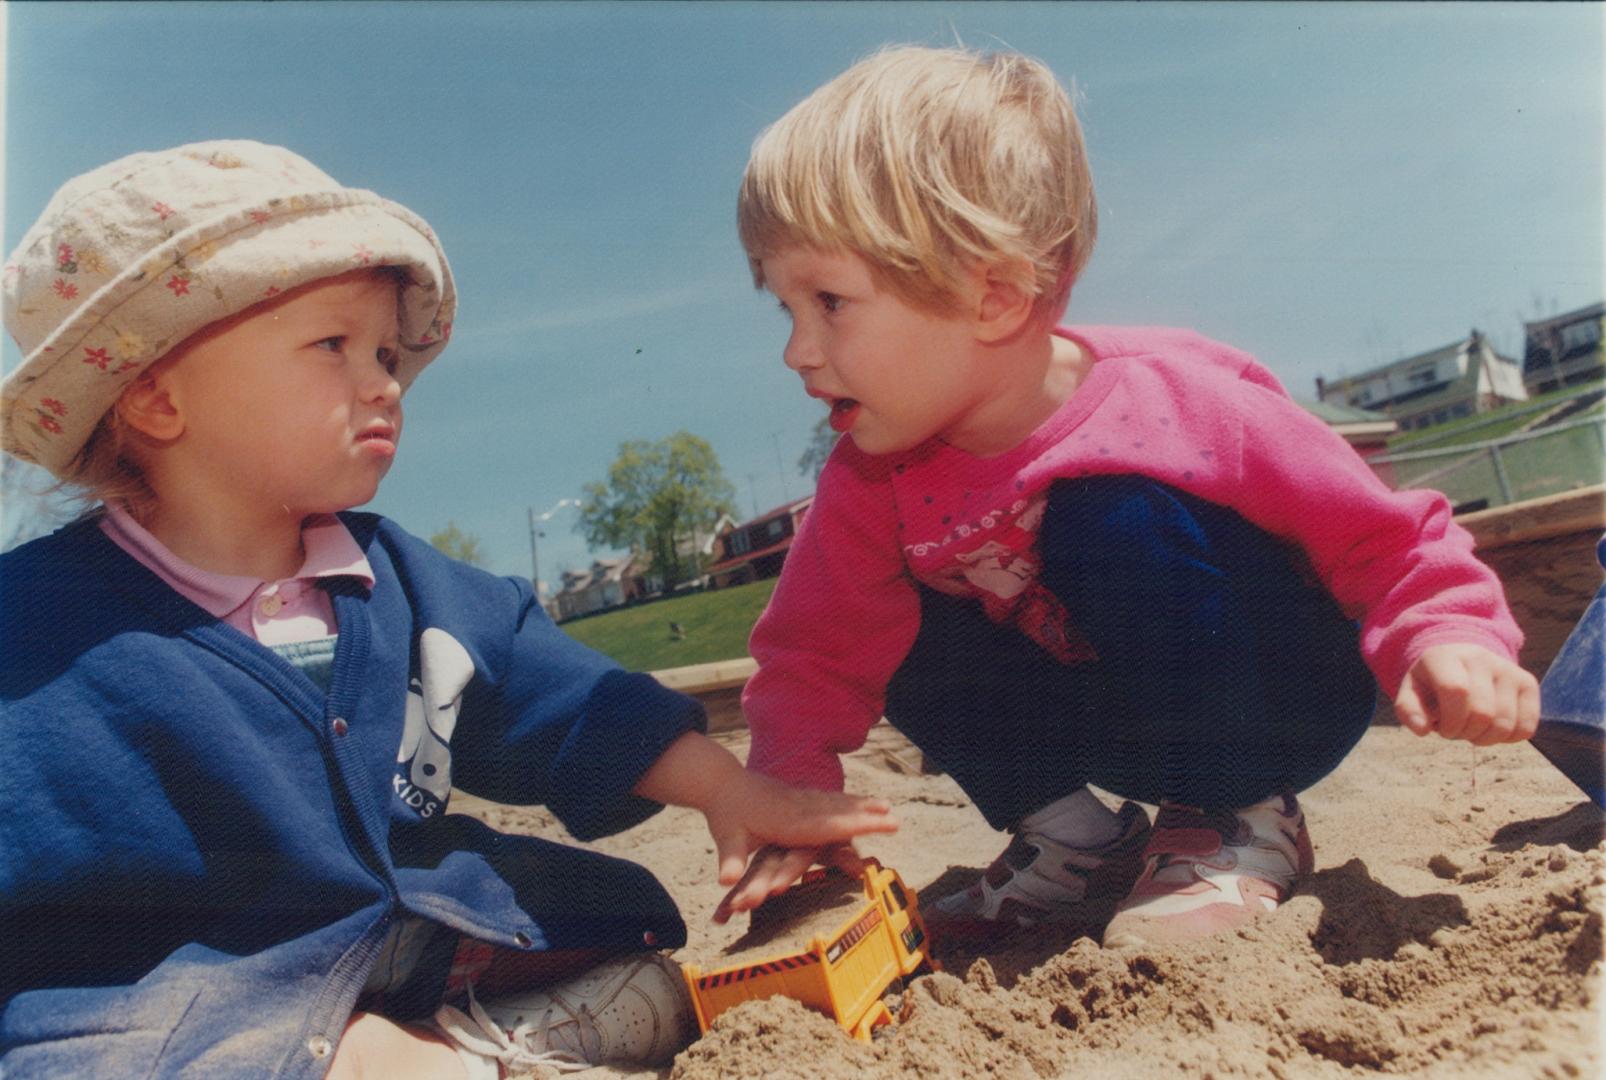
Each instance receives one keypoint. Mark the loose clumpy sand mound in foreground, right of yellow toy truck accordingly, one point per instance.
(1315, 992)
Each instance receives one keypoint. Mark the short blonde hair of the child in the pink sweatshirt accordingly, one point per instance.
(926, 163)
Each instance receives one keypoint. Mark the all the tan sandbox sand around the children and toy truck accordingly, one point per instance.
(1453, 930)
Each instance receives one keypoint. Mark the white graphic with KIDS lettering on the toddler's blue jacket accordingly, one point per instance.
(434, 698)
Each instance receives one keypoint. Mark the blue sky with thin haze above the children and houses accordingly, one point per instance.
(1329, 186)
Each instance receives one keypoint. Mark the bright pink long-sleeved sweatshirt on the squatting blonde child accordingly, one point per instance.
(1165, 404)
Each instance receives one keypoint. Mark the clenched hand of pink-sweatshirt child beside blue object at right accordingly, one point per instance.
(1465, 692)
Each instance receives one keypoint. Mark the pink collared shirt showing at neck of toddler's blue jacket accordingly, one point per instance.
(274, 613)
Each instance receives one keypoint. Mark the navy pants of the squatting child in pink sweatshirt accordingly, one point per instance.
(1225, 674)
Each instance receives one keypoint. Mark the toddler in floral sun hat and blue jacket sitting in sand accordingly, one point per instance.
(234, 713)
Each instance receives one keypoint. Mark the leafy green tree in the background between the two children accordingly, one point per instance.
(656, 501)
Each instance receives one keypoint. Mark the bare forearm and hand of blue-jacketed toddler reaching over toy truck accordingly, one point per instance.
(748, 811)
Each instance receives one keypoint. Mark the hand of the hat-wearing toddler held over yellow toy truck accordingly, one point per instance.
(788, 827)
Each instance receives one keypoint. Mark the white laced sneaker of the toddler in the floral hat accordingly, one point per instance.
(634, 1010)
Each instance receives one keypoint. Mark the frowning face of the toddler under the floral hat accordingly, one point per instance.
(295, 407)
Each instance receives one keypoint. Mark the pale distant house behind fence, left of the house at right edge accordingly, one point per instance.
(1459, 380)
